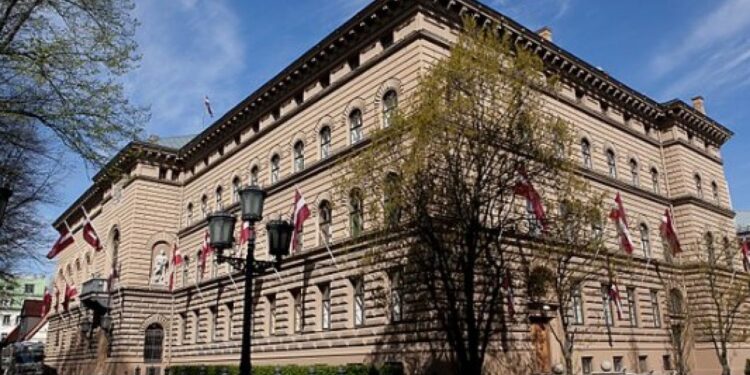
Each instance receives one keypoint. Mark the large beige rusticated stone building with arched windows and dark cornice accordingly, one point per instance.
(289, 135)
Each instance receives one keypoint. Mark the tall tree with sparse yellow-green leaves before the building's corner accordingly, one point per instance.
(440, 186)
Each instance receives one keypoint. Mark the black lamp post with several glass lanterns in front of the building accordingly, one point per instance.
(221, 230)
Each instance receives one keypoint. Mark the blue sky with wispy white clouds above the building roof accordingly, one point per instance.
(227, 48)
